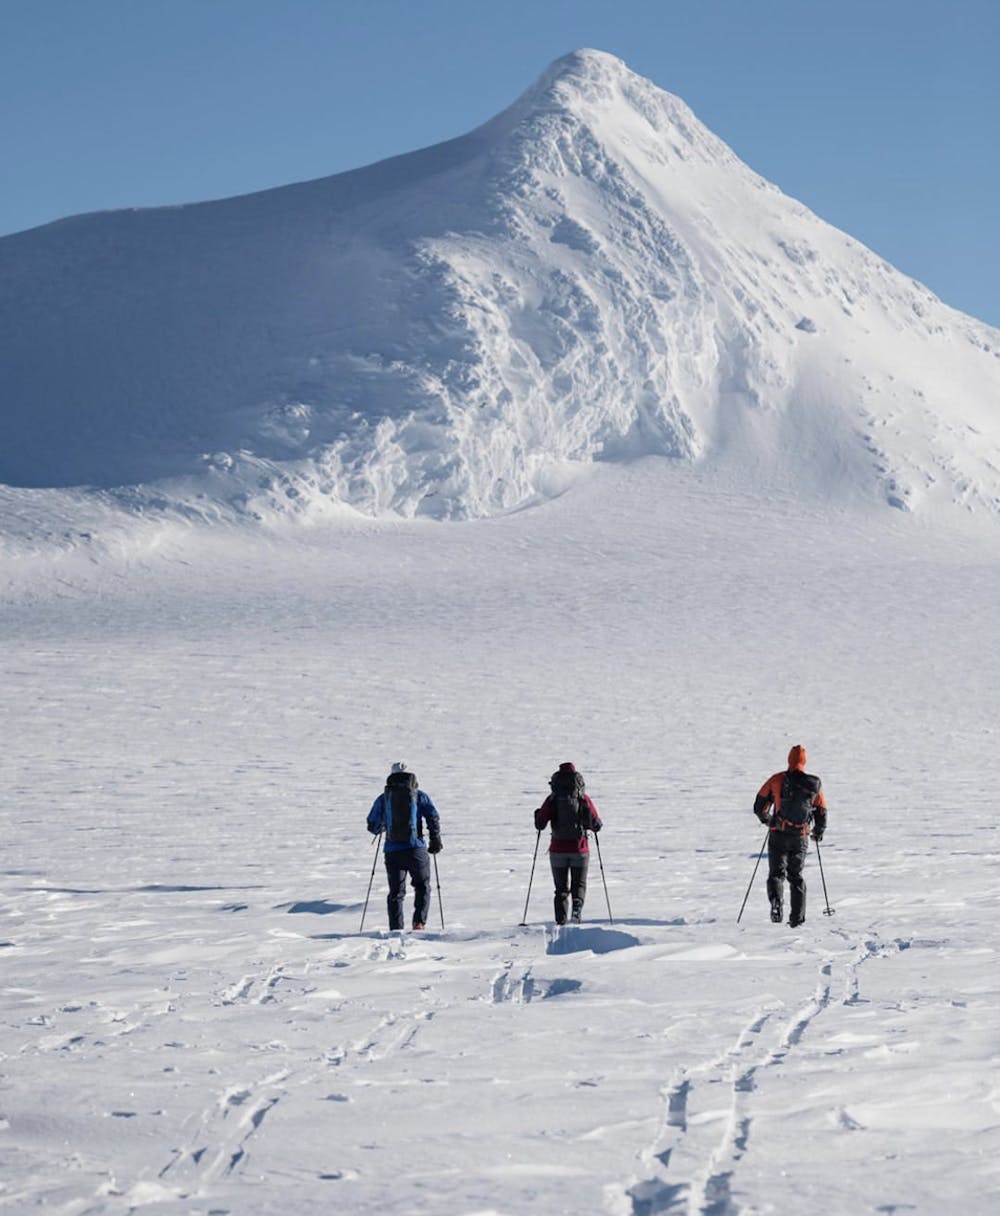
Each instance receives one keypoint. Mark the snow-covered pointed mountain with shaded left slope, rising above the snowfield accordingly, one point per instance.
(592, 275)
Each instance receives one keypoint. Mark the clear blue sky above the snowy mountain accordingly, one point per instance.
(880, 115)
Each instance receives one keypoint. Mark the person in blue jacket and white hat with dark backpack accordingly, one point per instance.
(401, 813)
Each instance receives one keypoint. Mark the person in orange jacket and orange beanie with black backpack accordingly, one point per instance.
(789, 803)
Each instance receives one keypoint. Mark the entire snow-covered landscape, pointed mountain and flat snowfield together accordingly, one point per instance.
(224, 616)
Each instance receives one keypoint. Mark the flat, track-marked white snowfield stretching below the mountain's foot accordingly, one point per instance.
(198, 720)
